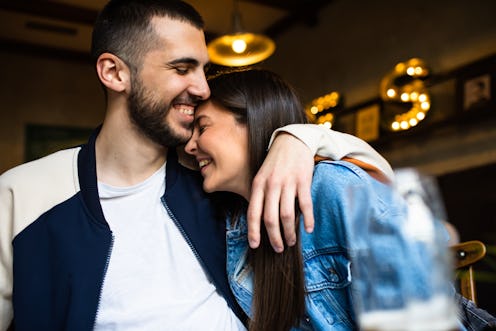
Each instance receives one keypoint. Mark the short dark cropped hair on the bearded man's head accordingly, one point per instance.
(123, 27)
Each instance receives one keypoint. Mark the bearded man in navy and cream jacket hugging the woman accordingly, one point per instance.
(116, 234)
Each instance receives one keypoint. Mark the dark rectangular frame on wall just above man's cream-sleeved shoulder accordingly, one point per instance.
(41, 140)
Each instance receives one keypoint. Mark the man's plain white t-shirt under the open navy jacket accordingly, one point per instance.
(154, 281)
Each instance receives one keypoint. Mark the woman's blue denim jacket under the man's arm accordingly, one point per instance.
(344, 197)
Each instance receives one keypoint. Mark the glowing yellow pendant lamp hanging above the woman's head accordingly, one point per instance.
(240, 48)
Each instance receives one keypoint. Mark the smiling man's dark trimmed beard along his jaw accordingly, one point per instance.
(149, 116)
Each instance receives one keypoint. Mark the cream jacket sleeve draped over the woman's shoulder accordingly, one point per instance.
(336, 145)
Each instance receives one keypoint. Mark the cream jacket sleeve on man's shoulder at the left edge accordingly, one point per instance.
(26, 192)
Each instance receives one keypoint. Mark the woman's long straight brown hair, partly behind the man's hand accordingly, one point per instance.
(264, 102)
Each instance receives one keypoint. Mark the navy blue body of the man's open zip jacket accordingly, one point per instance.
(60, 258)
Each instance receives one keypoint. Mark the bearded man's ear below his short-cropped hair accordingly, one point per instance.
(113, 72)
